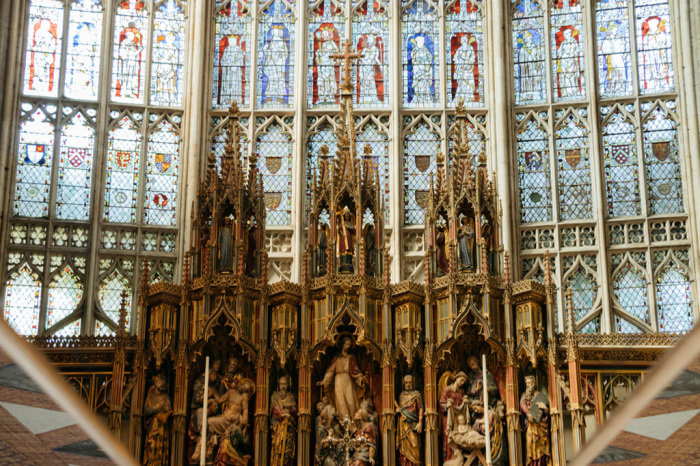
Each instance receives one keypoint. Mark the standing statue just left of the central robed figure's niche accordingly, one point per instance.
(283, 411)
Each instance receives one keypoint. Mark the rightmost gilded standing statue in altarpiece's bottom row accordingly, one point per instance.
(535, 409)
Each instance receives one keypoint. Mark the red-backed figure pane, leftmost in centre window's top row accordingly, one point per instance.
(232, 49)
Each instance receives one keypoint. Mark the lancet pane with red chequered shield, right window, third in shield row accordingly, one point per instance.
(621, 169)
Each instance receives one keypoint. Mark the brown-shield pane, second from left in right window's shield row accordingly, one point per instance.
(573, 171)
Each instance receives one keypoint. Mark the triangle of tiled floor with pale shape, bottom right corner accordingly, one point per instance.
(666, 432)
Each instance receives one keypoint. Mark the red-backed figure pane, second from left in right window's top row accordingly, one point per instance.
(567, 50)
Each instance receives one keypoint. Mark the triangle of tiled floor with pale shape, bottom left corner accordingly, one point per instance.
(34, 431)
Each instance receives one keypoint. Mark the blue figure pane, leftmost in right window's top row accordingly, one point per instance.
(529, 53)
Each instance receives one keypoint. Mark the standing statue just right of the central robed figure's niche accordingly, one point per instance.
(409, 424)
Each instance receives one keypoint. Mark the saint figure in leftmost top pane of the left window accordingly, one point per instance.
(44, 47)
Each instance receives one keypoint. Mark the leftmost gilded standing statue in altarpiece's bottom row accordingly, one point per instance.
(157, 413)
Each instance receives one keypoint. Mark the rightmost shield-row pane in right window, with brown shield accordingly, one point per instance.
(660, 139)
